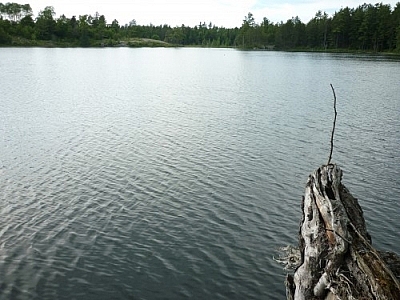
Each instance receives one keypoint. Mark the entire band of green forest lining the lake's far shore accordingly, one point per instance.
(365, 28)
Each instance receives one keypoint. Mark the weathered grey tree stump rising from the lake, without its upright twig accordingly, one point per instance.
(337, 260)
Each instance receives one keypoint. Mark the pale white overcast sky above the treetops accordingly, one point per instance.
(222, 13)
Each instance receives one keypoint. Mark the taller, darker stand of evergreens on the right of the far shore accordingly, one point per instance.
(367, 27)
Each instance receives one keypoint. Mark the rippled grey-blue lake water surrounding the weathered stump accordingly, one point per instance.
(176, 173)
